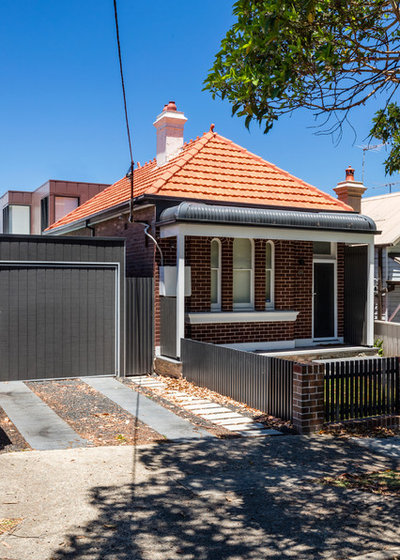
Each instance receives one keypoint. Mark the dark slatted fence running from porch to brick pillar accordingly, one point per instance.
(259, 381)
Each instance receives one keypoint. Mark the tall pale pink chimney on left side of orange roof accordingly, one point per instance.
(169, 125)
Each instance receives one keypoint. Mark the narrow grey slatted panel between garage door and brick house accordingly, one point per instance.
(139, 325)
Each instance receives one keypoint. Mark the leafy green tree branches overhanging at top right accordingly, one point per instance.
(324, 55)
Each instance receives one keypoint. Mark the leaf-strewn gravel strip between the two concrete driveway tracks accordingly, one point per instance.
(92, 415)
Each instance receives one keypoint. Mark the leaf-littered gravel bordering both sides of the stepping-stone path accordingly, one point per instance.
(169, 401)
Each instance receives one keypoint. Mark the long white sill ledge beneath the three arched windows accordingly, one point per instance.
(241, 317)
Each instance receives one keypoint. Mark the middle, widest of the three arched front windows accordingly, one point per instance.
(243, 263)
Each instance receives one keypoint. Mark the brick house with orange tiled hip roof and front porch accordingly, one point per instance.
(242, 253)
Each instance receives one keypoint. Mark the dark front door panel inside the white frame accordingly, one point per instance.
(324, 300)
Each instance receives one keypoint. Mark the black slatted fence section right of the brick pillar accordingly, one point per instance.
(361, 388)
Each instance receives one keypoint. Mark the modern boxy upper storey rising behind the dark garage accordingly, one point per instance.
(31, 212)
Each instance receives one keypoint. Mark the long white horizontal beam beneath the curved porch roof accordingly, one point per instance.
(251, 232)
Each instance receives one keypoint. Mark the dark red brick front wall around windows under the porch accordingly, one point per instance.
(292, 289)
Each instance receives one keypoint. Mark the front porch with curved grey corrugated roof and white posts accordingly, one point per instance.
(264, 280)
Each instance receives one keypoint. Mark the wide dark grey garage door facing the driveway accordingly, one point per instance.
(57, 321)
